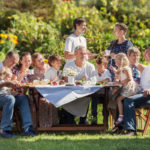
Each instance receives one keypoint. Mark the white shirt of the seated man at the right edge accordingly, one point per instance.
(145, 78)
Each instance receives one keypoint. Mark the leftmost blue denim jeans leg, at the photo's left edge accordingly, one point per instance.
(7, 105)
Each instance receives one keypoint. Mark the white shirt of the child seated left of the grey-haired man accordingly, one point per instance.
(51, 73)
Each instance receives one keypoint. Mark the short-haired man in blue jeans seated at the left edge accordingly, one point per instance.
(7, 102)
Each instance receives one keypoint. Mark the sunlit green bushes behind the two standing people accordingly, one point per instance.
(41, 28)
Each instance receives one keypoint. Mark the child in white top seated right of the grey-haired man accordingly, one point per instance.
(101, 74)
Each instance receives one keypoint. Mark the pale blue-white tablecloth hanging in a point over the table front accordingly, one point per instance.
(72, 98)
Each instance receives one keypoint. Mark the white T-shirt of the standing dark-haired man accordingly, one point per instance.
(72, 42)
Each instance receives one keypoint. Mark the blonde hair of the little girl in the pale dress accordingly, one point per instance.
(123, 59)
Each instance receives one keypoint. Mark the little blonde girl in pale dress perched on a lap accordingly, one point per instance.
(124, 76)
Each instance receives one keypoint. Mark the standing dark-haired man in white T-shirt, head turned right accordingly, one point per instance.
(77, 39)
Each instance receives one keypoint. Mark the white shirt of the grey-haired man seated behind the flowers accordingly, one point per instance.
(86, 70)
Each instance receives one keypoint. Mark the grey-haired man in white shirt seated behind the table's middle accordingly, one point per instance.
(83, 67)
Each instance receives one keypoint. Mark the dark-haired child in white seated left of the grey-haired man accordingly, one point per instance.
(53, 73)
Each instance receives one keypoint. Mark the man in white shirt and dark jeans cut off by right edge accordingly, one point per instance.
(137, 100)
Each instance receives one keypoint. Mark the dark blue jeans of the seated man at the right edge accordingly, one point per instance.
(129, 106)
